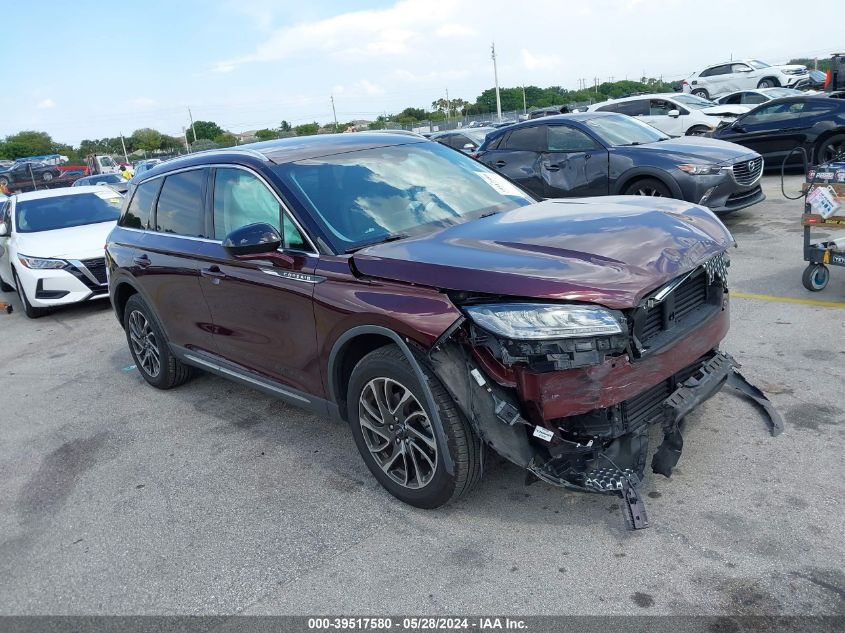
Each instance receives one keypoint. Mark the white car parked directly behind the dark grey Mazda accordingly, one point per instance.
(672, 113)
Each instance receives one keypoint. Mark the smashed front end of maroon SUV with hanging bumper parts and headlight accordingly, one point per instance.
(576, 410)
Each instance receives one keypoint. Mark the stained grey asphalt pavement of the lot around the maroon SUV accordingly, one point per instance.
(213, 498)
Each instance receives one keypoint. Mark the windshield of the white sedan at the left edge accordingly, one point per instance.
(61, 212)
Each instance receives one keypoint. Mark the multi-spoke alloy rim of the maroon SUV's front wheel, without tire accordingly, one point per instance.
(398, 432)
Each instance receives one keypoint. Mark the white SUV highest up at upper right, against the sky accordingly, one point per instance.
(720, 79)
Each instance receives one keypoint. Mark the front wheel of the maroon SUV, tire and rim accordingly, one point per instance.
(403, 445)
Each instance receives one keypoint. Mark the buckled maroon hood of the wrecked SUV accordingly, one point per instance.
(610, 250)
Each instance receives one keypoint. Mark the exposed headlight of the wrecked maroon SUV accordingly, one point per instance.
(523, 321)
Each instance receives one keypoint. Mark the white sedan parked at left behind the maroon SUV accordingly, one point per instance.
(51, 245)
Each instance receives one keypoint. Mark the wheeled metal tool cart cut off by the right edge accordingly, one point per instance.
(820, 255)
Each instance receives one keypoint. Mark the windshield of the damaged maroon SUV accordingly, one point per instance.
(372, 195)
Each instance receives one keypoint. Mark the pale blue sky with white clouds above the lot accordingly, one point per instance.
(87, 69)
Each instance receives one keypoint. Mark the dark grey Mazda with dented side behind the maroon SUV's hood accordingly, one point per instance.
(602, 153)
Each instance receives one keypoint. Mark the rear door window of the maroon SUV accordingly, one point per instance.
(181, 208)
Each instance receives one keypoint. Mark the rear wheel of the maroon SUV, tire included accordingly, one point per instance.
(149, 347)
